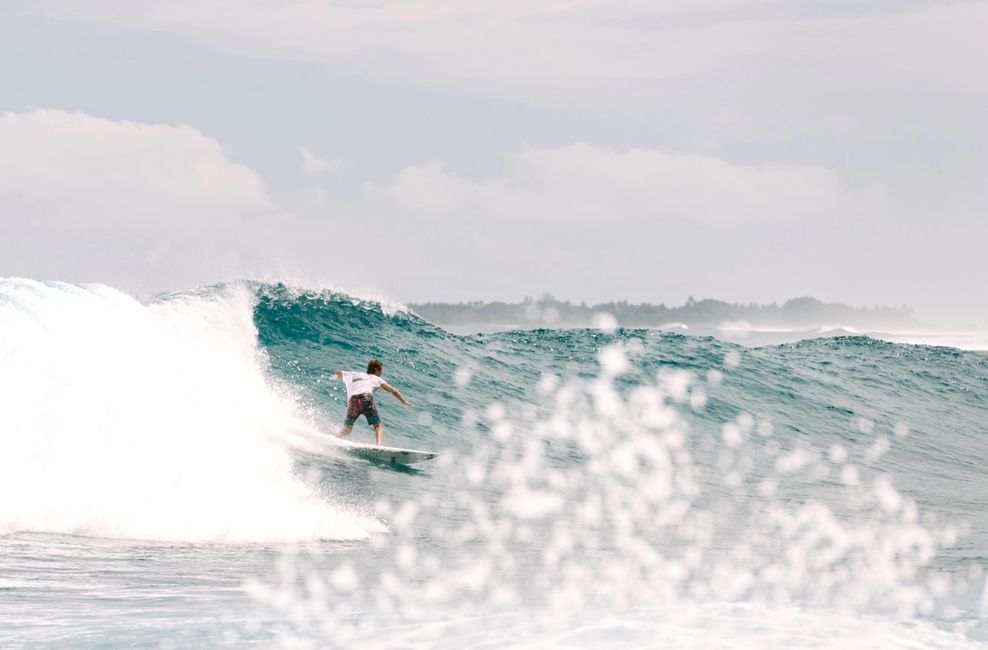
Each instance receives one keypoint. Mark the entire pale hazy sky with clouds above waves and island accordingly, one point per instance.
(649, 151)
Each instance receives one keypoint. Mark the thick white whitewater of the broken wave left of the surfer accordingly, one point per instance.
(151, 421)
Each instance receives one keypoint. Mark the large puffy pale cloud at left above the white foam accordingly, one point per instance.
(136, 205)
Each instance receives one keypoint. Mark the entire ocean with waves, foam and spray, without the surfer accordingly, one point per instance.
(170, 480)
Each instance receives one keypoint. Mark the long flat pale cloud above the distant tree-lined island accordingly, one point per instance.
(585, 183)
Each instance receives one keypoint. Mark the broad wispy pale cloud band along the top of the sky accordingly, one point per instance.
(561, 42)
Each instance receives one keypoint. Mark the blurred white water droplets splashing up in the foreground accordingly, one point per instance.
(592, 516)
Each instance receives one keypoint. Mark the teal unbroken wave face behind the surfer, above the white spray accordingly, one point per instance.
(848, 391)
